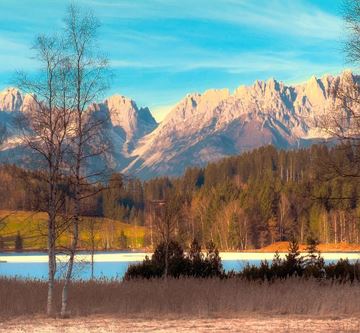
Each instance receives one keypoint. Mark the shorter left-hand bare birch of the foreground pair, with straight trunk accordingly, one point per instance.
(45, 128)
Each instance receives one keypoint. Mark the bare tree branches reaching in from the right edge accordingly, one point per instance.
(341, 122)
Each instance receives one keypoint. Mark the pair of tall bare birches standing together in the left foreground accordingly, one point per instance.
(60, 128)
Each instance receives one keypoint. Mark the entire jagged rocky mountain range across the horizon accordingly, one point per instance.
(201, 127)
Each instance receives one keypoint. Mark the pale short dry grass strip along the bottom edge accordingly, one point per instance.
(242, 324)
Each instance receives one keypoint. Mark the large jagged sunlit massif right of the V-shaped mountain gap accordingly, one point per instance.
(205, 127)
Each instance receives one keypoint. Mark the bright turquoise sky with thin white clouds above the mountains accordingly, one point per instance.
(160, 50)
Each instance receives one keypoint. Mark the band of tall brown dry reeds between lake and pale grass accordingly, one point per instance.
(186, 297)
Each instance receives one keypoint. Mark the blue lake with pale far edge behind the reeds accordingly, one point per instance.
(113, 265)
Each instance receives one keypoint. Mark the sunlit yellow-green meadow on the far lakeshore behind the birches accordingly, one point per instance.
(32, 228)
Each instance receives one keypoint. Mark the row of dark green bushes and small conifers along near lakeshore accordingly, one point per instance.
(198, 264)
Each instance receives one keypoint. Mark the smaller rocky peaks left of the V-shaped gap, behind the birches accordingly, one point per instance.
(123, 123)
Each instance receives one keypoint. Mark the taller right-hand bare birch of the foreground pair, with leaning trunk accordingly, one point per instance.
(90, 80)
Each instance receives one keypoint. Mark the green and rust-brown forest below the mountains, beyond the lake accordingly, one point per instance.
(242, 202)
